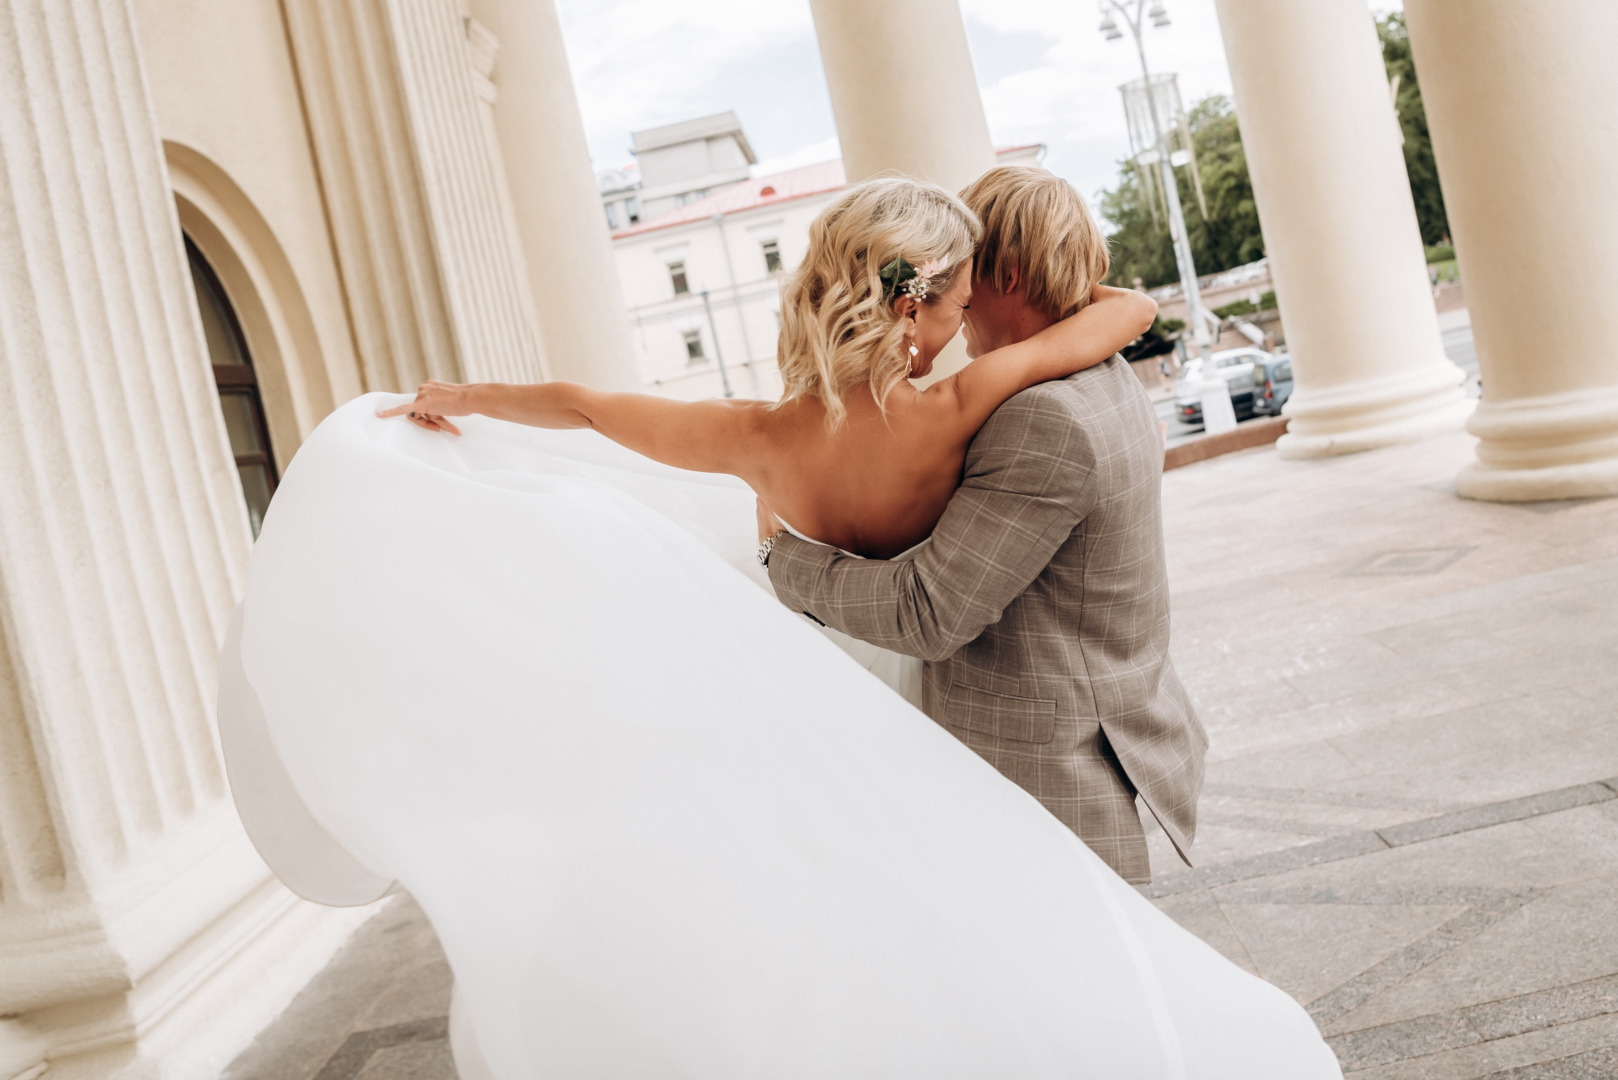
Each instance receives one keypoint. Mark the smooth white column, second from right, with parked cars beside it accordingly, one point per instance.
(1341, 227)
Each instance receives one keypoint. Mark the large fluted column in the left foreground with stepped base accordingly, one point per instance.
(135, 919)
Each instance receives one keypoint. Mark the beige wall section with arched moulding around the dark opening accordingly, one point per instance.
(229, 113)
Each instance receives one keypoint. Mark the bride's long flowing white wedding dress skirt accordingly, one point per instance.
(663, 827)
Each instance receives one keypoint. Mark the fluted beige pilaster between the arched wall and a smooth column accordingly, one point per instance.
(423, 232)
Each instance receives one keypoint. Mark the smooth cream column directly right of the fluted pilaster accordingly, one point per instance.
(567, 249)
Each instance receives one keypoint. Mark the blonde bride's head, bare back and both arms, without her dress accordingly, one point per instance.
(853, 454)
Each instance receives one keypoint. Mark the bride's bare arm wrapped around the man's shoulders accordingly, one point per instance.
(1112, 320)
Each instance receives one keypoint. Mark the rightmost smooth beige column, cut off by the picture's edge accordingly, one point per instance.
(1520, 103)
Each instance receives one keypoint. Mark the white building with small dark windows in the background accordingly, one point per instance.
(703, 281)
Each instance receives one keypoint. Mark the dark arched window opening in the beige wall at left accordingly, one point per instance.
(239, 388)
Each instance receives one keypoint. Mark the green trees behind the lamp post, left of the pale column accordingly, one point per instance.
(1230, 234)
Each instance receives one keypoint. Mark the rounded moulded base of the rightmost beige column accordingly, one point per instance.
(1559, 446)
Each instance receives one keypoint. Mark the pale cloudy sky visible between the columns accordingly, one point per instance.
(1044, 72)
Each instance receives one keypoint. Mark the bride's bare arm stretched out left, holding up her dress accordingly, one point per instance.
(700, 436)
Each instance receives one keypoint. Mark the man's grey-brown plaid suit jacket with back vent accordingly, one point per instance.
(1041, 608)
